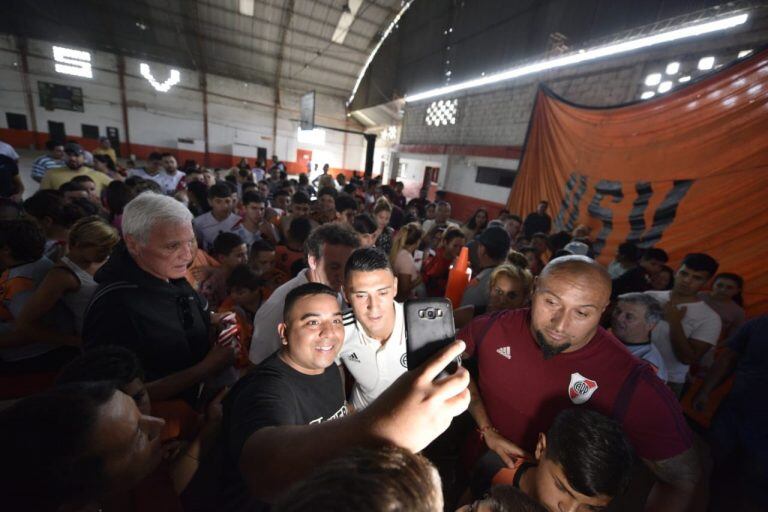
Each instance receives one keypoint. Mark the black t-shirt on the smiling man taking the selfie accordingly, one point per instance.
(273, 394)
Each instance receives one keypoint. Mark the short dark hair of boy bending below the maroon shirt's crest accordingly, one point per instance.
(592, 450)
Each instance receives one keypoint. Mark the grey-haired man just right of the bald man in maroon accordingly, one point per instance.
(632, 321)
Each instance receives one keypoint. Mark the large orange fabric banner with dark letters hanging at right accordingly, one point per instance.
(686, 172)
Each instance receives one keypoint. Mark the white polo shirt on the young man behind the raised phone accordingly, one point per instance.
(374, 366)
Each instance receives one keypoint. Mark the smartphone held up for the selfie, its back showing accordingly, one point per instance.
(429, 328)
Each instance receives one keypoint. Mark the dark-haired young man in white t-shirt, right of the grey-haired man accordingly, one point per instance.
(690, 328)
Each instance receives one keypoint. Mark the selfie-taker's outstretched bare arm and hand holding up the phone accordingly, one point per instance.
(410, 414)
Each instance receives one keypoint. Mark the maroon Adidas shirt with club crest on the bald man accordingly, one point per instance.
(523, 392)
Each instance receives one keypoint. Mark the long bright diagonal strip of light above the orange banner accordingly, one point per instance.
(589, 55)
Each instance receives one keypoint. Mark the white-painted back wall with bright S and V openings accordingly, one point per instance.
(238, 112)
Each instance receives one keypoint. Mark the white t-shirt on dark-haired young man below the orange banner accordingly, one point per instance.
(700, 322)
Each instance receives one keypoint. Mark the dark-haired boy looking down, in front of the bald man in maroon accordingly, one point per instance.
(582, 462)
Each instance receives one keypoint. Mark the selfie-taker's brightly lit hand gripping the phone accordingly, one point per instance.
(416, 409)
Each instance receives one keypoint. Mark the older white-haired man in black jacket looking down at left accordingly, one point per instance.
(145, 304)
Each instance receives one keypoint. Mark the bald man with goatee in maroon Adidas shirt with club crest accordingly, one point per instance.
(534, 363)
